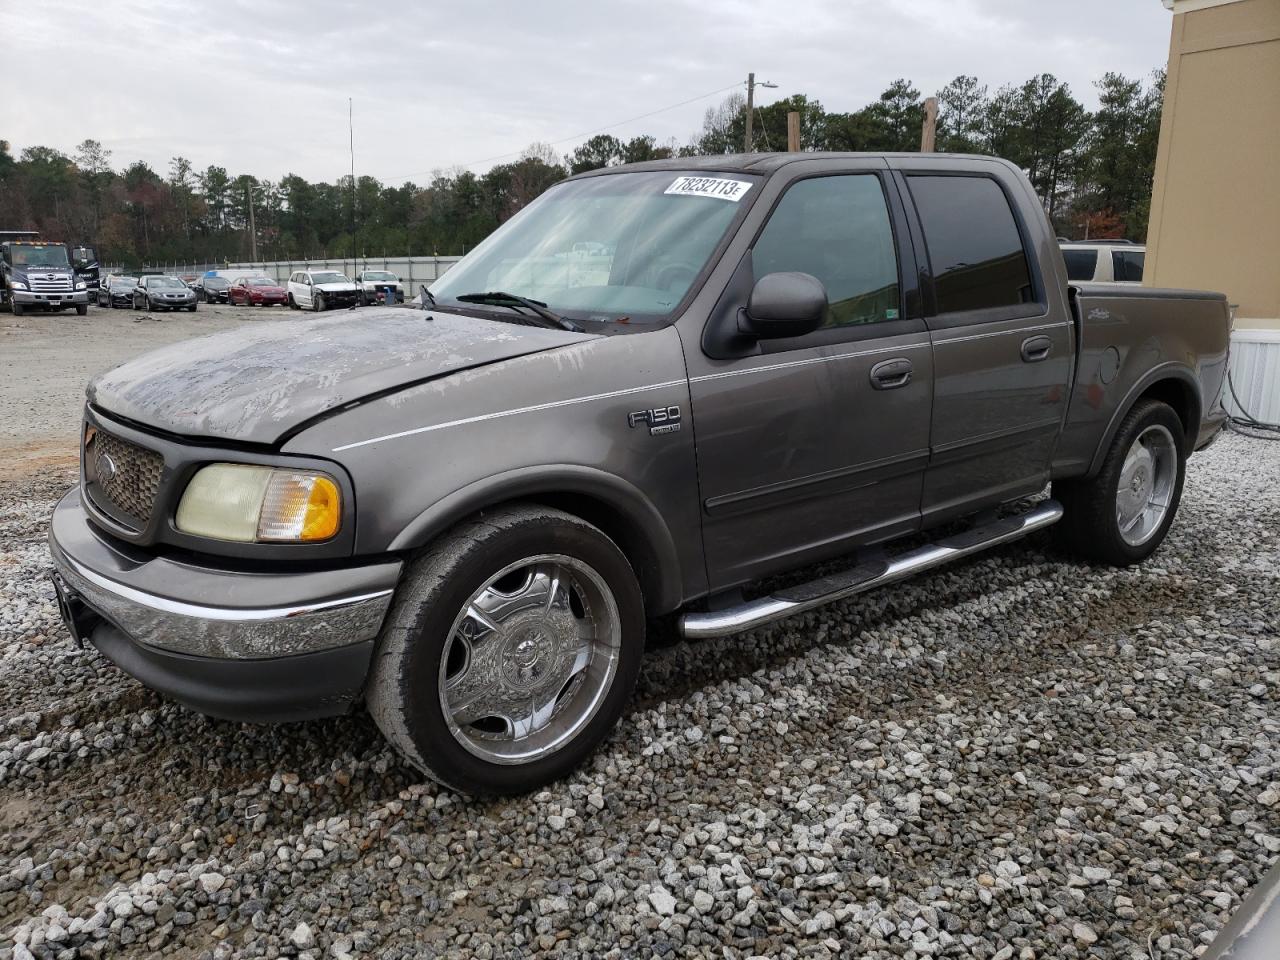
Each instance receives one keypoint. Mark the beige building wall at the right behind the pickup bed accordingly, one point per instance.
(1215, 209)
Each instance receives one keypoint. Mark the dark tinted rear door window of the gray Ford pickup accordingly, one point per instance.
(976, 252)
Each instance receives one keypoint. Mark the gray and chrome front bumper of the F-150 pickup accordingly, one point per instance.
(230, 643)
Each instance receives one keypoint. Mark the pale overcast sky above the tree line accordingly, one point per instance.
(262, 86)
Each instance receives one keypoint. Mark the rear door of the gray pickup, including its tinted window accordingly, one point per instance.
(1003, 344)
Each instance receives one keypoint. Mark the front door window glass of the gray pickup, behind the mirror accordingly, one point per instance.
(838, 230)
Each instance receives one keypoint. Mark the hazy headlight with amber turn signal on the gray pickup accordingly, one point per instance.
(250, 504)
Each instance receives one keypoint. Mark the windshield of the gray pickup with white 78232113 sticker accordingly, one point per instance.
(615, 248)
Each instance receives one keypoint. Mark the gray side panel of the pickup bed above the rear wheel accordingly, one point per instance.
(1133, 342)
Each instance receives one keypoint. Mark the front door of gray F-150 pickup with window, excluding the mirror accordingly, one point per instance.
(810, 447)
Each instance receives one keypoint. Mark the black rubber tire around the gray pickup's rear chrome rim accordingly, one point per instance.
(1090, 527)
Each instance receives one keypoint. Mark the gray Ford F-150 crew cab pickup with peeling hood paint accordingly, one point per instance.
(652, 391)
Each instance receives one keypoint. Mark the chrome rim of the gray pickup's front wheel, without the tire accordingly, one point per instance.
(531, 660)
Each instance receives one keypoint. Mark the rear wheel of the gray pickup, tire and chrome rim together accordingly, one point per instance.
(1123, 515)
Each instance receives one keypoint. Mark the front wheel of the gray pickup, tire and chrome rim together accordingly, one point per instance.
(510, 652)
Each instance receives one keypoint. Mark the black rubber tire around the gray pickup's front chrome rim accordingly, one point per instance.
(404, 694)
